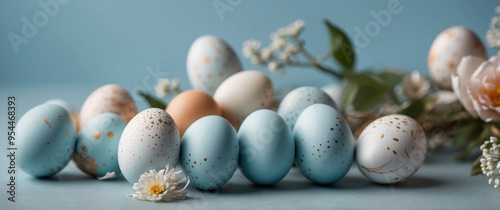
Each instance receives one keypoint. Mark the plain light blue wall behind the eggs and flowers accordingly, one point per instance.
(104, 42)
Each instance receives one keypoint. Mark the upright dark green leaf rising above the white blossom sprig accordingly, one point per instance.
(341, 47)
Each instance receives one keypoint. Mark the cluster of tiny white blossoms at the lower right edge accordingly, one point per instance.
(490, 161)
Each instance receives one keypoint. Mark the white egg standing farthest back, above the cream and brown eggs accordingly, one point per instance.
(209, 62)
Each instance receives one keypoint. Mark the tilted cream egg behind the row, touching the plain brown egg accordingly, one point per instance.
(243, 93)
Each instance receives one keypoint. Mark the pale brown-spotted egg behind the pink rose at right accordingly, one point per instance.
(446, 51)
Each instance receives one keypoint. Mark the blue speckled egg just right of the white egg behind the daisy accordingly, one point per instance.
(209, 152)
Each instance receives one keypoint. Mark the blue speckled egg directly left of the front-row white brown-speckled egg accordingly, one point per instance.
(324, 144)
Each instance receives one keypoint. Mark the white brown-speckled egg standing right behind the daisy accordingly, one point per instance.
(149, 141)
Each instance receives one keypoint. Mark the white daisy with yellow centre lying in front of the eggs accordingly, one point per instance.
(160, 186)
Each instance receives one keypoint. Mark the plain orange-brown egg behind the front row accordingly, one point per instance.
(190, 106)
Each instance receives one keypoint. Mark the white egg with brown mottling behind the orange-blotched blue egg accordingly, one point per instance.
(108, 98)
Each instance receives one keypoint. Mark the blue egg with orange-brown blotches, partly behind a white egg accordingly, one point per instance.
(97, 144)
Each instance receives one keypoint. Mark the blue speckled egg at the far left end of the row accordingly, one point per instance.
(45, 140)
